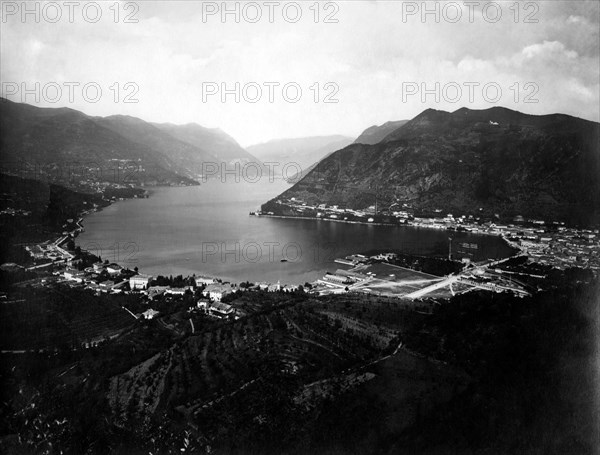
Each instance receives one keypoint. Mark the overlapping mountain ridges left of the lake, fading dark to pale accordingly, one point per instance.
(57, 139)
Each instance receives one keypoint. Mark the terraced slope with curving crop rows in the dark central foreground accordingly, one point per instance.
(307, 341)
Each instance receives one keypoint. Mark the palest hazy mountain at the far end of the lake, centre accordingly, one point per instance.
(302, 152)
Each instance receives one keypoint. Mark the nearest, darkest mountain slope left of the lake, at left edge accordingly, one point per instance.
(62, 144)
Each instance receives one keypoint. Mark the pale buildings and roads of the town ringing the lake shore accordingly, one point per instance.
(535, 242)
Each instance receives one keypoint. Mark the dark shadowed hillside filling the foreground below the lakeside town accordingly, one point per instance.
(483, 373)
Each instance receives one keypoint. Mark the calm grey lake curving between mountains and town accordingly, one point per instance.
(207, 230)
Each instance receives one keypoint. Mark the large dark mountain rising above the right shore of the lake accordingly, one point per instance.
(493, 161)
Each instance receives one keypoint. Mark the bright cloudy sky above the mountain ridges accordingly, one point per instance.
(356, 63)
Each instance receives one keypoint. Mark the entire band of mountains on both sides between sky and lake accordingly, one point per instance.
(493, 161)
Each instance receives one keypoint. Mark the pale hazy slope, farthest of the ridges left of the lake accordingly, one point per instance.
(213, 140)
